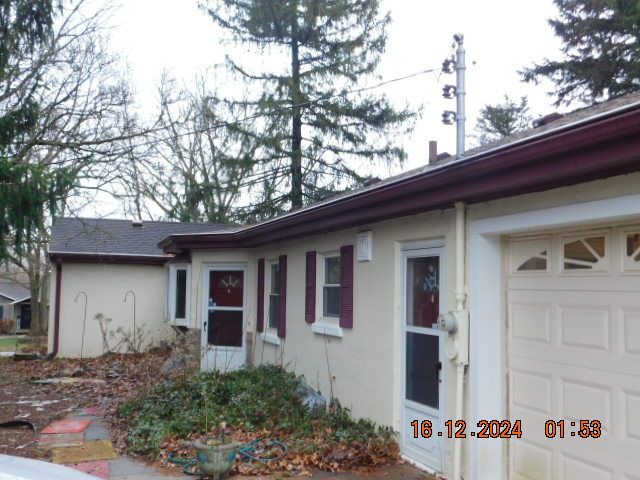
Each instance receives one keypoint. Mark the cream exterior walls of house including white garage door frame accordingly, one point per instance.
(366, 361)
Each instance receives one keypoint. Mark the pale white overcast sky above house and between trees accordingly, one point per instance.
(501, 37)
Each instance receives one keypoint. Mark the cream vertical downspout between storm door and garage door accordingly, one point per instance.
(461, 339)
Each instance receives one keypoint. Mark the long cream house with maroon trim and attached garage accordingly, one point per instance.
(501, 290)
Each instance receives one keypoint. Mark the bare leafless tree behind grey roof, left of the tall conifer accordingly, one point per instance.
(196, 165)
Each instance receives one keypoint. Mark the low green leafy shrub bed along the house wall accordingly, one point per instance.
(251, 399)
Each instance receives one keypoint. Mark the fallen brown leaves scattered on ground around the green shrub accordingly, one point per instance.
(125, 375)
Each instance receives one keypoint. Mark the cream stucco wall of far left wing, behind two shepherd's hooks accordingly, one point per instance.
(105, 286)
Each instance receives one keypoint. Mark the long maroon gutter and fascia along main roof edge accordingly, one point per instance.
(597, 147)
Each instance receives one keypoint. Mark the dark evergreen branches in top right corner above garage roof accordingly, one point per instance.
(601, 47)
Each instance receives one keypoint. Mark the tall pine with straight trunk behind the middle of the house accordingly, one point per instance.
(313, 134)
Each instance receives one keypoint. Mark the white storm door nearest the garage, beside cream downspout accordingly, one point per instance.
(423, 346)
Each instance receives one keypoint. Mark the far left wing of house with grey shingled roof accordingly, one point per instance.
(110, 268)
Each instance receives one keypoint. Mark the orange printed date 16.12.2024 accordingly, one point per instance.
(457, 429)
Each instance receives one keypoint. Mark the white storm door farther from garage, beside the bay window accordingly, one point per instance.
(223, 332)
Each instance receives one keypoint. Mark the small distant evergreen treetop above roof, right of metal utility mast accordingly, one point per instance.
(504, 119)
